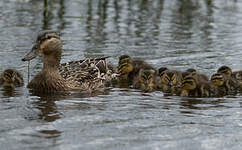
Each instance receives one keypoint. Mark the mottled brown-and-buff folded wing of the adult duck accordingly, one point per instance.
(89, 70)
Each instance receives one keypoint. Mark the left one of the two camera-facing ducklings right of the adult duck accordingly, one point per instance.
(145, 80)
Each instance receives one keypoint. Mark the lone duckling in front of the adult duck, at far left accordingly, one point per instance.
(11, 78)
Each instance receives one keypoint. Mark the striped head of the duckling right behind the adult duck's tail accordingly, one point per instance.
(125, 65)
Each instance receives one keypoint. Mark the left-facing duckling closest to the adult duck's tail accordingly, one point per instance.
(128, 68)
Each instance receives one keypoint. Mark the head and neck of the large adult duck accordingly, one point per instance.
(49, 44)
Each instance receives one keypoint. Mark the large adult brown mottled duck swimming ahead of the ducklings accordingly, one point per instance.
(76, 75)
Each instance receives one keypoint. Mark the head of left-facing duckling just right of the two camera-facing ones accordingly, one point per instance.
(188, 83)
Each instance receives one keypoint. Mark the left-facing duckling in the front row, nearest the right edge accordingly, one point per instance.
(224, 84)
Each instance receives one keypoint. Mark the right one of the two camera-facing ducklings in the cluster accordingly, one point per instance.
(169, 81)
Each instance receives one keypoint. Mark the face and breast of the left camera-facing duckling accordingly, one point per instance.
(147, 79)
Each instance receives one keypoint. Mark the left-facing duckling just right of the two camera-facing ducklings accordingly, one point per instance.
(194, 88)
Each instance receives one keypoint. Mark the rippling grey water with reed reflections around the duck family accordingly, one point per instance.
(178, 34)
